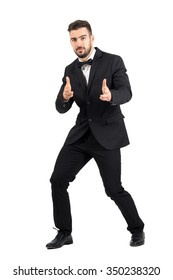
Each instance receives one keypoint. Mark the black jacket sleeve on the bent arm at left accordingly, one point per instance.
(63, 106)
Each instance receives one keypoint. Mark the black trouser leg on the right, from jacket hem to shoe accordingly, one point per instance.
(109, 163)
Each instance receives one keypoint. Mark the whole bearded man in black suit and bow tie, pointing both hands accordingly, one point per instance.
(98, 83)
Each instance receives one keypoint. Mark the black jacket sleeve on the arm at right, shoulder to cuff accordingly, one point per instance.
(121, 91)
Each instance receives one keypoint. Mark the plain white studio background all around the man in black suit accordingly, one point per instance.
(35, 49)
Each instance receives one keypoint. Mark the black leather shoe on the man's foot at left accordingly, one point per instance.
(59, 241)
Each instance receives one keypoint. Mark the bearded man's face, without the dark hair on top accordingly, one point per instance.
(82, 42)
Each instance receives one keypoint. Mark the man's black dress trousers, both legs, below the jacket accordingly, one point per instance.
(70, 161)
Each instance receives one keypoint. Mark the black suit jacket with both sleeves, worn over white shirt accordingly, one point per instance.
(104, 118)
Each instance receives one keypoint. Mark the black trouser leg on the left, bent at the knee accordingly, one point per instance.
(69, 162)
